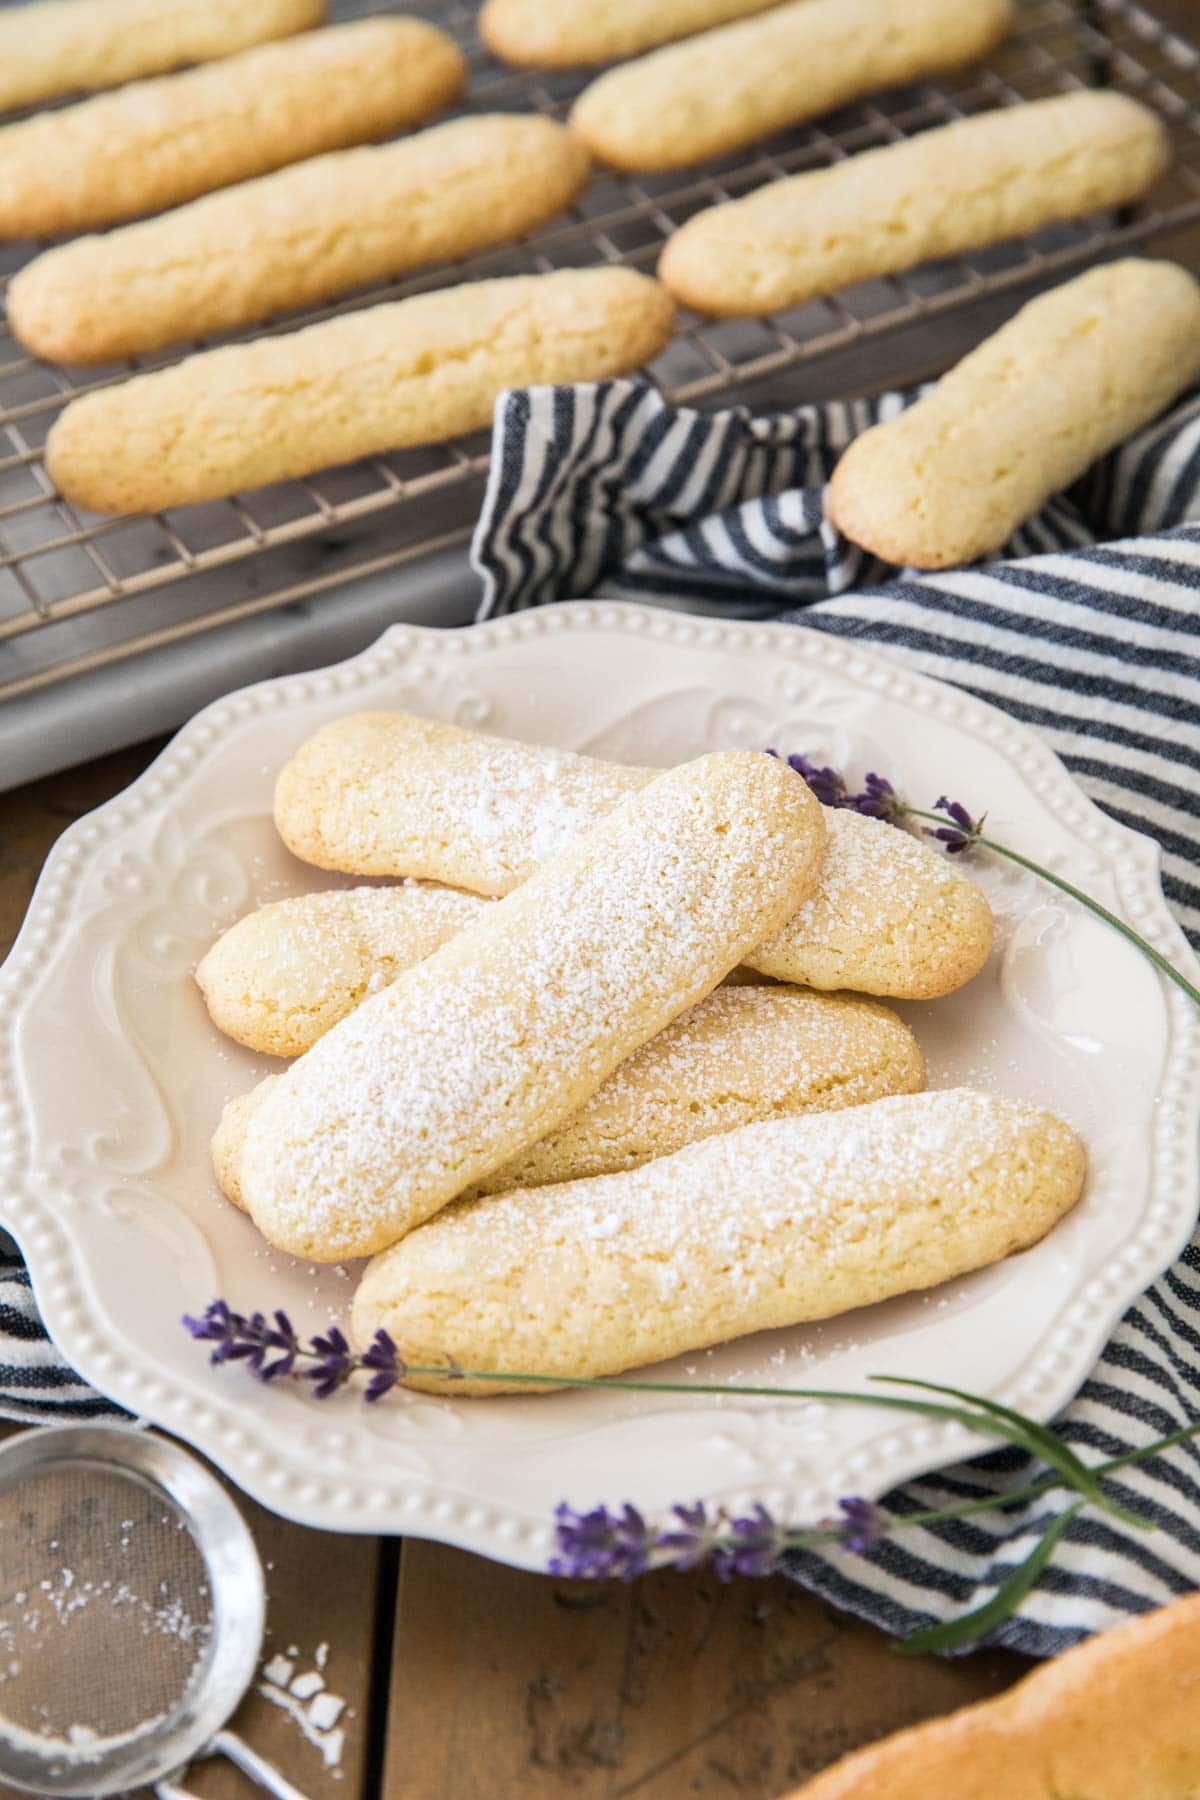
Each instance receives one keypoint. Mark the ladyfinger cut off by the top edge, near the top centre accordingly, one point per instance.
(571, 33)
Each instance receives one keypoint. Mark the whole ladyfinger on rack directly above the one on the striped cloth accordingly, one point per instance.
(951, 190)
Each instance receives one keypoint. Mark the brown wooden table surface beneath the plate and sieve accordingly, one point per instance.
(465, 1678)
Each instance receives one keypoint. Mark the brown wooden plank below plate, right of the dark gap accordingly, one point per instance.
(515, 1684)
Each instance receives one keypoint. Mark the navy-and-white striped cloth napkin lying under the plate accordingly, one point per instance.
(607, 490)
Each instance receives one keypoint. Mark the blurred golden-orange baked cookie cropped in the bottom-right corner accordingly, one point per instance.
(1116, 1718)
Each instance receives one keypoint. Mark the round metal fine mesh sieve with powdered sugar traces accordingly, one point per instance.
(132, 1612)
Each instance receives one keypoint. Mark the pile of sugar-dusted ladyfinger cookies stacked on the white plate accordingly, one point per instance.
(607, 1075)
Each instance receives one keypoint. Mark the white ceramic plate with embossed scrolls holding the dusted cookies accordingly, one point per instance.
(112, 1081)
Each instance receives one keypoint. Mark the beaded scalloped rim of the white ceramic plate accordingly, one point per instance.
(424, 1507)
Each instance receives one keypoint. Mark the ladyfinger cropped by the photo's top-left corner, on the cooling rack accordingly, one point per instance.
(64, 48)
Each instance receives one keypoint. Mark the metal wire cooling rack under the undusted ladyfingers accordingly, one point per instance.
(80, 591)
